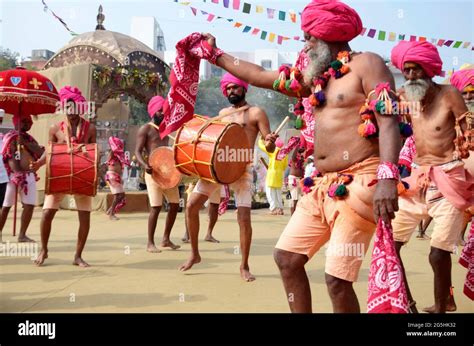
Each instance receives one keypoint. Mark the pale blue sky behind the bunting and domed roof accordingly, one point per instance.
(25, 26)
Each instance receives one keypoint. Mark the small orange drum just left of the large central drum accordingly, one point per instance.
(164, 173)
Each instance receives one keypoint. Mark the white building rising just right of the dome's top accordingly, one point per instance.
(148, 31)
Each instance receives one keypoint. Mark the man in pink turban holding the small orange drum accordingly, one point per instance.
(148, 139)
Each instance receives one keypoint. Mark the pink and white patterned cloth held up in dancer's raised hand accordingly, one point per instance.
(184, 78)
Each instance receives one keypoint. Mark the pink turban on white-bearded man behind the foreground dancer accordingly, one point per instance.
(423, 53)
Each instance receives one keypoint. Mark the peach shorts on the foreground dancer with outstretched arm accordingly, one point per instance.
(346, 225)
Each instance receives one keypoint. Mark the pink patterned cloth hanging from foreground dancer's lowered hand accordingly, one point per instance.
(387, 291)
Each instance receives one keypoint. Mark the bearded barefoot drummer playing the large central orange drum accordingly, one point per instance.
(254, 121)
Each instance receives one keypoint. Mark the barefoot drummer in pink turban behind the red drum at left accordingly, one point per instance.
(79, 131)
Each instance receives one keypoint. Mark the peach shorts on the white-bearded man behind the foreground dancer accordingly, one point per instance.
(448, 220)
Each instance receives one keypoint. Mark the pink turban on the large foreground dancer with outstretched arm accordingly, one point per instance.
(331, 21)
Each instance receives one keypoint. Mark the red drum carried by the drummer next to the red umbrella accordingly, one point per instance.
(72, 171)
